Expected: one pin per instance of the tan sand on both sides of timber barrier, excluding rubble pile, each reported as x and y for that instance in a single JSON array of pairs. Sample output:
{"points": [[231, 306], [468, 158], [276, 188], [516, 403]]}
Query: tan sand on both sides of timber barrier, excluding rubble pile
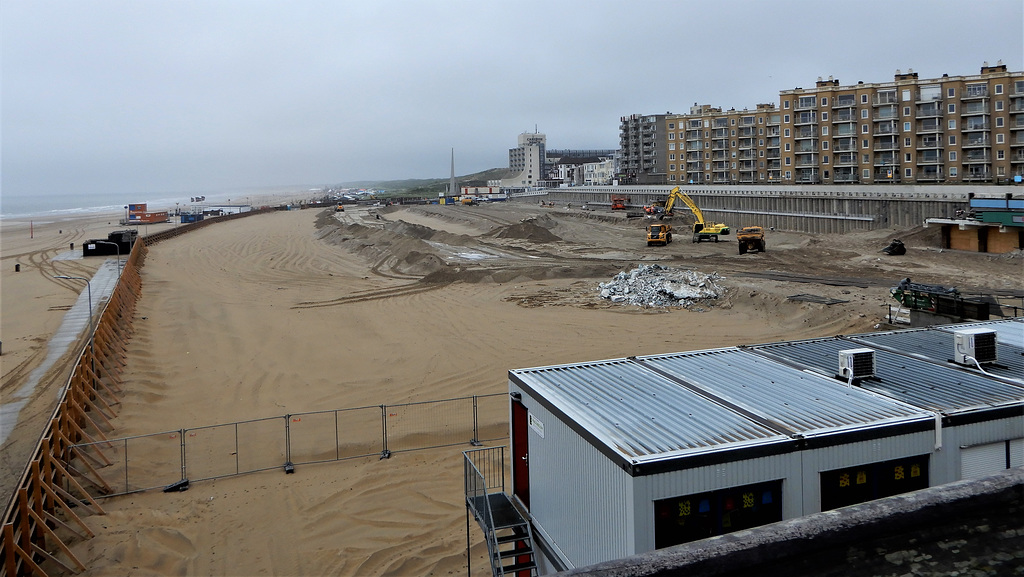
{"points": [[310, 311]]}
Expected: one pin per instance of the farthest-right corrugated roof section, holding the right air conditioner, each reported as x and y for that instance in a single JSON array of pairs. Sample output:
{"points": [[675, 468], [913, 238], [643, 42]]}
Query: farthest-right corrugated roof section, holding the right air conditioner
{"points": [[938, 346]]}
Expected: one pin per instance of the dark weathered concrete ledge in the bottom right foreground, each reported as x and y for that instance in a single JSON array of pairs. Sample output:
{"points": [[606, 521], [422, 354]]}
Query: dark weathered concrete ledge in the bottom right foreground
{"points": [[968, 524]]}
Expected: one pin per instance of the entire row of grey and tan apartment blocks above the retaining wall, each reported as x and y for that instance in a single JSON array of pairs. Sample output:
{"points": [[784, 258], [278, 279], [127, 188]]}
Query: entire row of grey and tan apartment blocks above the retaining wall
{"points": [[954, 130]]}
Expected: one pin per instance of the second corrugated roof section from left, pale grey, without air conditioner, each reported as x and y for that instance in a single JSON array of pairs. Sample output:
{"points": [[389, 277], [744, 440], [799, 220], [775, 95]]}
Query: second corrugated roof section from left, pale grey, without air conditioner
{"points": [[803, 402]]}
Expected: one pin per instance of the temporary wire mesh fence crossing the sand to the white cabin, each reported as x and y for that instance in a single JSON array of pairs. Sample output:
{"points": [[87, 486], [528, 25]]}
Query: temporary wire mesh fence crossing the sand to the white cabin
{"points": [[175, 459]]}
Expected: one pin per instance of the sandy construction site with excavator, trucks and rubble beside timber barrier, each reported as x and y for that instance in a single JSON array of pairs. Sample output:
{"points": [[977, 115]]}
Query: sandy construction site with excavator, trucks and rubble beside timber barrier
{"points": [[303, 312]]}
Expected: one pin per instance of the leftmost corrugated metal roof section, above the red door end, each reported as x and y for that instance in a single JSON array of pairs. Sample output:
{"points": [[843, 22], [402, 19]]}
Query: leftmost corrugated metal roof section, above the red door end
{"points": [[641, 415]]}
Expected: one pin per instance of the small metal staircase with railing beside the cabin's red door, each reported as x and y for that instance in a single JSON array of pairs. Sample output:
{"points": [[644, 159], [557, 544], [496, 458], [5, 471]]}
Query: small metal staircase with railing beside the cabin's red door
{"points": [[507, 532]]}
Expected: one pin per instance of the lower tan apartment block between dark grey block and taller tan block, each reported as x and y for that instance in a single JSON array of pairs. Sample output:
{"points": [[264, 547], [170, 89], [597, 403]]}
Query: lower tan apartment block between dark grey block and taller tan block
{"points": [[712, 147]]}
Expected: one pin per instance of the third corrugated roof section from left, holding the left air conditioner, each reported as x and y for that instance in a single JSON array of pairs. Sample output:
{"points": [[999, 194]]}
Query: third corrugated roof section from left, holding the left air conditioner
{"points": [[908, 380]]}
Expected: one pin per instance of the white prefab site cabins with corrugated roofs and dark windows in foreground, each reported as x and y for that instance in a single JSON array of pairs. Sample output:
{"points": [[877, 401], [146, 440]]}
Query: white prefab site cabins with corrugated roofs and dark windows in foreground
{"points": [[624, 457]]}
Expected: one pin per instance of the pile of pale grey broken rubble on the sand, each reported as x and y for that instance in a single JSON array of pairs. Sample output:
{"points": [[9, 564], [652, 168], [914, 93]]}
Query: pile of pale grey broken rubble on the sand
{"points": [[655, 285]]}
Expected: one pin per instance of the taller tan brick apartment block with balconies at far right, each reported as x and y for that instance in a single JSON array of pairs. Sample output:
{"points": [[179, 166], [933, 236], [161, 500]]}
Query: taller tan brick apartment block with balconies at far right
{"points": [[966, 130]]}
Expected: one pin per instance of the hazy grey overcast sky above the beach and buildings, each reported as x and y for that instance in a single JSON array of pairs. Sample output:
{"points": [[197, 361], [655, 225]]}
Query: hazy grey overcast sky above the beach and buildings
{"points": [[162, 96]]}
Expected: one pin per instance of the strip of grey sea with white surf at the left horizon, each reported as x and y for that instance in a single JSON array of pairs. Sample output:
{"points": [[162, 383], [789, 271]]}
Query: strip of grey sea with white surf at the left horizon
{"points": [[65, 205]]}
